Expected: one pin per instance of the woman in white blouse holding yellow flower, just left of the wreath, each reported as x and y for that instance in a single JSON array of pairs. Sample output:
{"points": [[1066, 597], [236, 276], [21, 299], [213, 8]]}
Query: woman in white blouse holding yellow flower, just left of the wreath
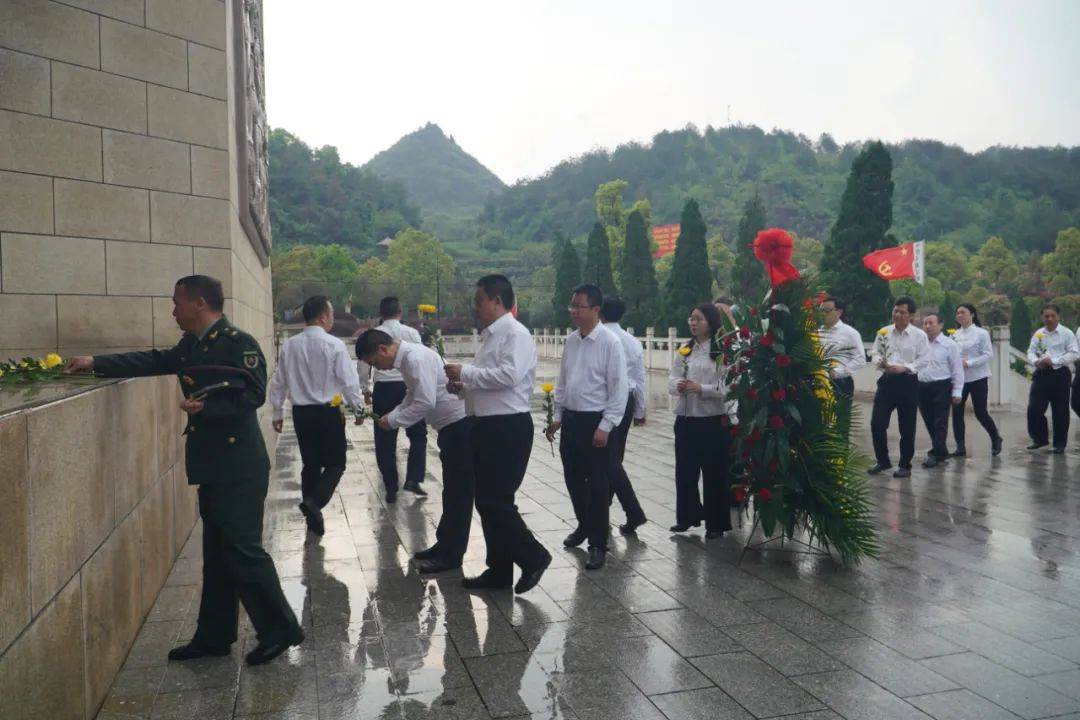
{"points": [[703, 437]]}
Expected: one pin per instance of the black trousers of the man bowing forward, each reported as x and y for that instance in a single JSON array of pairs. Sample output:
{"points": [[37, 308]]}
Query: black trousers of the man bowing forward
{"points": [[460, 486]]}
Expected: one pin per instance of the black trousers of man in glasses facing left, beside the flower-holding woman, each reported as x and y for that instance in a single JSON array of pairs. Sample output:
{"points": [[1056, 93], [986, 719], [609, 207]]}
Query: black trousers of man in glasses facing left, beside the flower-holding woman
{"points": [[586, 470]]}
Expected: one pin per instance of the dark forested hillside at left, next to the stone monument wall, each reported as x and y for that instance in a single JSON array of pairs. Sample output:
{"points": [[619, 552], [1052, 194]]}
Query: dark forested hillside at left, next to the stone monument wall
{"points": [[318, 200]]}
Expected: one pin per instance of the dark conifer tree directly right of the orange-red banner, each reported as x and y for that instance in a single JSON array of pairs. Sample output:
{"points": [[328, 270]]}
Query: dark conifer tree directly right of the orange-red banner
{"points": [[692, 281]]}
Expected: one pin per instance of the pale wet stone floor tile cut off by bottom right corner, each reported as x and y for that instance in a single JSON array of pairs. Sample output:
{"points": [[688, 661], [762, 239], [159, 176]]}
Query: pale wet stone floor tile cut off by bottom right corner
{"points": [[1027, 698]]}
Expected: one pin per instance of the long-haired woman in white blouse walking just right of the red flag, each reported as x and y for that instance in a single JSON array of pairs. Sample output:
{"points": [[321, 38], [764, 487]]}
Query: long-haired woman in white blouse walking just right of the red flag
{"points": [[977, 352]]}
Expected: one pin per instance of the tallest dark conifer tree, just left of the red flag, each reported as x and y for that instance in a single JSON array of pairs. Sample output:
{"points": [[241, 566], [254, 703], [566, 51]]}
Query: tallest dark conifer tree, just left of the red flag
{"points": [[861, 226]]}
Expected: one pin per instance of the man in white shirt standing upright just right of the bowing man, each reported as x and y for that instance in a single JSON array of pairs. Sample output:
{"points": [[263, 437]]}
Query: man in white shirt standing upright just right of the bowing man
{"points": [[497, 389]]}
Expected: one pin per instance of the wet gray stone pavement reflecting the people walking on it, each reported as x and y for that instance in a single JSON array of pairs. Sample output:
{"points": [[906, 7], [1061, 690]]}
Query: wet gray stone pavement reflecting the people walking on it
{"points": [[971, 613]]}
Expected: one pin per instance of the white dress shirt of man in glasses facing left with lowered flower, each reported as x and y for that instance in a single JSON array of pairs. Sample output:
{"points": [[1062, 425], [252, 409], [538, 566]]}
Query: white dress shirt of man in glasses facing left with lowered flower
{"points": [[592, 377]]}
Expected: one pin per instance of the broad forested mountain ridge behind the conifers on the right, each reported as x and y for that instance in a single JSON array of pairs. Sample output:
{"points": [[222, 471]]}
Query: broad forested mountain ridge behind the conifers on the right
{"points": [[1024, 196]]}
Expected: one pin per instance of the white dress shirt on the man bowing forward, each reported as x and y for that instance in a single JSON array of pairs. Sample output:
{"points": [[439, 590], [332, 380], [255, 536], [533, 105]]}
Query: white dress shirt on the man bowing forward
{"points": [[426, 395]]}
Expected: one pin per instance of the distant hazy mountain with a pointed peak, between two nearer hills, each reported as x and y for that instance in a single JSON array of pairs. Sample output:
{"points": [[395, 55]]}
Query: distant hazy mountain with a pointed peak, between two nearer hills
{"points": [[437, 173]]}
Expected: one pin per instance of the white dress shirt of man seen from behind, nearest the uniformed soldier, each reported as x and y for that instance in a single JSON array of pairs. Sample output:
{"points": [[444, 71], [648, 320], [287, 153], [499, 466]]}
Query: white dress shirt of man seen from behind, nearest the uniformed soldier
{"points": [[314, 366]]}
